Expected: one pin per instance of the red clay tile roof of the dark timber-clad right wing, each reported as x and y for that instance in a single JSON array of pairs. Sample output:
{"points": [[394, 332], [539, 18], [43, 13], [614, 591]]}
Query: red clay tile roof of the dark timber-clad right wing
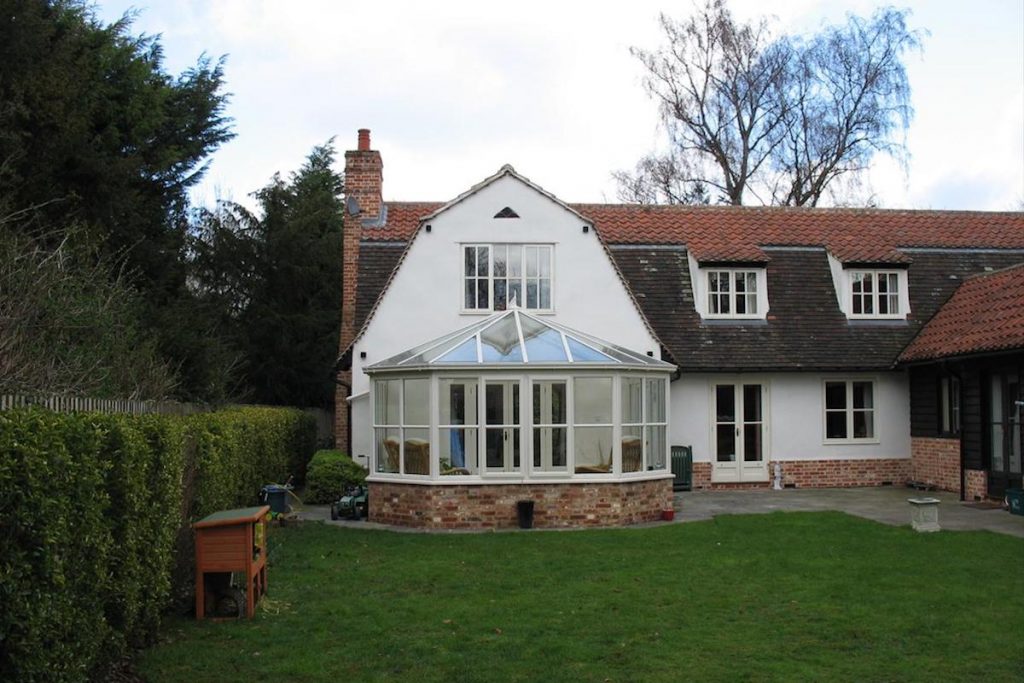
{"points": [[986, 314]]}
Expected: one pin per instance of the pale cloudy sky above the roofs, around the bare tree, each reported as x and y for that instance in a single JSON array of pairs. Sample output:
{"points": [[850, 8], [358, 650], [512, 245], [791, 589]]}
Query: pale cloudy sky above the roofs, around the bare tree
{"points": [[454, 91]]}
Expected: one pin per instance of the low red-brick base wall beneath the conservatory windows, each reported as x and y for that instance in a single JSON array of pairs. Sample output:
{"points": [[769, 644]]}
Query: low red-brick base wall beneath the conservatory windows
{"points": [[494, 506]]}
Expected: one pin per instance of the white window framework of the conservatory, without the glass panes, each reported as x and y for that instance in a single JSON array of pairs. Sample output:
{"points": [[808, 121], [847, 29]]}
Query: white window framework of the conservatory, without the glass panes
{"points": [[526, 473]]}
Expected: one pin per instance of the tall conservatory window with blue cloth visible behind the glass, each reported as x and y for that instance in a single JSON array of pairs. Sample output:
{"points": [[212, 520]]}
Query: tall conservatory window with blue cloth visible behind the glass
{"points": [[458, 442]]}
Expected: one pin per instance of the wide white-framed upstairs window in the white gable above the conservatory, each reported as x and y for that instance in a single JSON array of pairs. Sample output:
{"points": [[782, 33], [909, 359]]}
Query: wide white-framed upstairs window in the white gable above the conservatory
{"points": [[497, 276]]}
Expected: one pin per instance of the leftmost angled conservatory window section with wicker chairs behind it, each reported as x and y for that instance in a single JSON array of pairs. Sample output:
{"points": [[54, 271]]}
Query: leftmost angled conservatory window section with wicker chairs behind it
{"points": [[402, 426]]}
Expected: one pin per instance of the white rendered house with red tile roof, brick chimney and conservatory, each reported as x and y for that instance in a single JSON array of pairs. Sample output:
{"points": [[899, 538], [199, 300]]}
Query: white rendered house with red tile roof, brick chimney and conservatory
{"points": [[507, 346]]}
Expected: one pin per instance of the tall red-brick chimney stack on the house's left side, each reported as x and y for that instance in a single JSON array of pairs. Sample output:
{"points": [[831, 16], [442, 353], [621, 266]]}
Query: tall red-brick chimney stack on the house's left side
{"points": [[364, 208]]}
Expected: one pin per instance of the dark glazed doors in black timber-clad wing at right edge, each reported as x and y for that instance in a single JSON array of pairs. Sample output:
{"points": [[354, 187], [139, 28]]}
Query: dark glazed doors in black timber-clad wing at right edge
{"points": [[1006, 432]]}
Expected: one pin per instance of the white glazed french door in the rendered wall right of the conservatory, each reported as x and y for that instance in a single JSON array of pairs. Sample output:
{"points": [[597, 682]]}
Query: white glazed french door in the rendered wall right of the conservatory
{"points": [[740, 433]]}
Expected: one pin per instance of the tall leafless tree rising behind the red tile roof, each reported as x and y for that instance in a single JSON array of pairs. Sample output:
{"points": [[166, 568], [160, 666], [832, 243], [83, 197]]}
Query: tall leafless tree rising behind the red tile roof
{"points": [[775, 119]]}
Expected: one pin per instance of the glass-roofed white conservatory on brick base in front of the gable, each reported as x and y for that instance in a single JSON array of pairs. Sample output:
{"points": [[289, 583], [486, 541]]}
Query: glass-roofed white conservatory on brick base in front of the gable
{"points": [[517, 407]]}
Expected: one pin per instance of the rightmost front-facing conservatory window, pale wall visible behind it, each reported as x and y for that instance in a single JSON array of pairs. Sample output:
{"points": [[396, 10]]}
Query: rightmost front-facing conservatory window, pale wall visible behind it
{"points": [[592, 424]]}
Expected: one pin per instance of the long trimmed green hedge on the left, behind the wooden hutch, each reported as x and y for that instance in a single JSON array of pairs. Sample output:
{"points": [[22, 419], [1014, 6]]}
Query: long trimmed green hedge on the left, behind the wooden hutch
{"points": [[96, 510]]}
